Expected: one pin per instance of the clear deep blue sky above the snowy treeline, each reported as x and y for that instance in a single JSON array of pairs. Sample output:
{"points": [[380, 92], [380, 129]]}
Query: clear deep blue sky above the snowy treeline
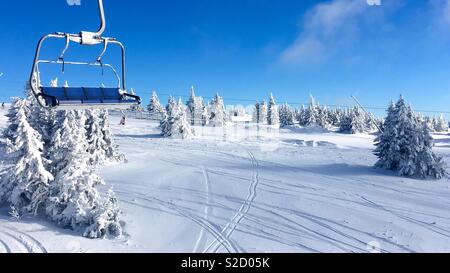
{"points": [[246, 48]]}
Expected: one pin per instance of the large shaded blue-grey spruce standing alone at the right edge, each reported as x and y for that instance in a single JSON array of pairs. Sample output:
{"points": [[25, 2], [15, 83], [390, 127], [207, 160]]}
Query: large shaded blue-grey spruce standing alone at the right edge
{"points": [[406, 145]]}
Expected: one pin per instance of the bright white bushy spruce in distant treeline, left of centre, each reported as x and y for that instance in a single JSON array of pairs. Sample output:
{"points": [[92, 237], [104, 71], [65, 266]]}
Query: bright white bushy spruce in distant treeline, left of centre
{"points": [[176, 124]]}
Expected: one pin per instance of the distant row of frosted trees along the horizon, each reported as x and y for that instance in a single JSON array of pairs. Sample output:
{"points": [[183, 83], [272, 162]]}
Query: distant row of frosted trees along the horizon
{"points": [[348, 120]]}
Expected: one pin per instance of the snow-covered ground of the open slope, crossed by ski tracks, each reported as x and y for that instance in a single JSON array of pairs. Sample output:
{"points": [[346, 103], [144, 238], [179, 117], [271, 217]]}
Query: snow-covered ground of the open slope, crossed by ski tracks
{"points": [[242, 189]]}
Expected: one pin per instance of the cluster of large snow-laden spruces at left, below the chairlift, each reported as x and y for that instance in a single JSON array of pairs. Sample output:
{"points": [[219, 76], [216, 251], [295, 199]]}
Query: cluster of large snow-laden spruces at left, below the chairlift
{"points": [[53, 157]]}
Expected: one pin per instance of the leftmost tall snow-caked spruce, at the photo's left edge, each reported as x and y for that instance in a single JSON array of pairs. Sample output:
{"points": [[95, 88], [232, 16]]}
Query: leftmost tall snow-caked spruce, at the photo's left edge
{"points": [[25, 184]]}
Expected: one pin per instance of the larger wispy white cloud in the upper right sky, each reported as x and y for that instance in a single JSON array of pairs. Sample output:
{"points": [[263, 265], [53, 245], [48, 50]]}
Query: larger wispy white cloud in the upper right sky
{"points": [[325, 28]]}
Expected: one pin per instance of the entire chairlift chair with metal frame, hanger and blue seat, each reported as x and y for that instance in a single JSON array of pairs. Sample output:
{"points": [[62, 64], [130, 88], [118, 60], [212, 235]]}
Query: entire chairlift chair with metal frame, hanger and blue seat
{"points": [[70, 98]]}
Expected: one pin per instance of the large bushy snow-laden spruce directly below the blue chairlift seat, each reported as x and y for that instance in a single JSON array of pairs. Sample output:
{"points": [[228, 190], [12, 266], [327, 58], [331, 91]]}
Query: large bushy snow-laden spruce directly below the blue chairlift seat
{"points": [[74, 201]]}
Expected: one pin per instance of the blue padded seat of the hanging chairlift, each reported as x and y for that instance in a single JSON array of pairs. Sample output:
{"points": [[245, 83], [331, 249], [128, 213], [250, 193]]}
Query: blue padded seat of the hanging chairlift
{"points": [[87, 97]]}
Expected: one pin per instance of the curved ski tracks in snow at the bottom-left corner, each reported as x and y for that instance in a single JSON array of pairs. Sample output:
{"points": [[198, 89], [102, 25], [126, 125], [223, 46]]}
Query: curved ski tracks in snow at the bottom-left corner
{"points": [[15, 241]]}
